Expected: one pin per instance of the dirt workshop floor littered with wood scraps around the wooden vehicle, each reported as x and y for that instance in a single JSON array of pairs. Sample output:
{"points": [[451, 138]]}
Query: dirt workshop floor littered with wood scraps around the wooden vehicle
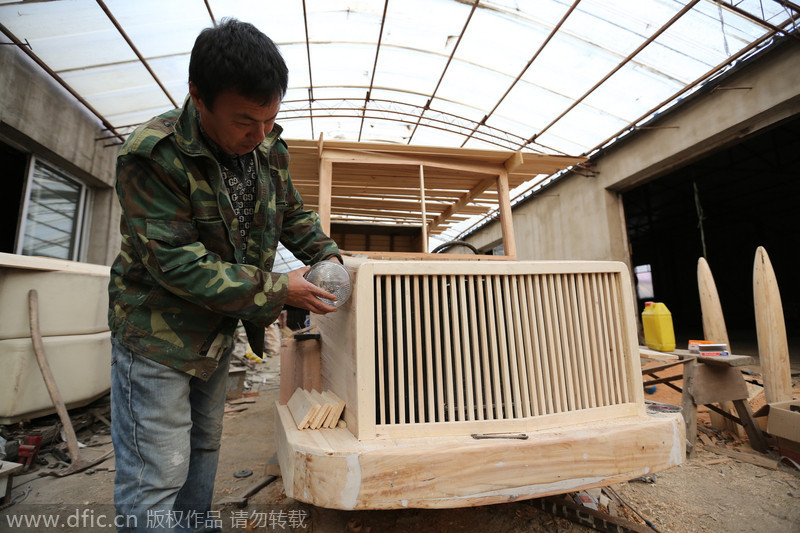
{"points": [[711, 492]]}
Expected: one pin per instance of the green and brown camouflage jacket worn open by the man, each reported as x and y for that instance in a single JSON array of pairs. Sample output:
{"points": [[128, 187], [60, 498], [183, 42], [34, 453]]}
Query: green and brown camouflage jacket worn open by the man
{"points": [[182, 281]]}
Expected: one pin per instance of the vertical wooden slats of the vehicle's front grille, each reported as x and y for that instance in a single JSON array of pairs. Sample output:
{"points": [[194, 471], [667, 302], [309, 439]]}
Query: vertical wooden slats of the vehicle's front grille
{"points": [[452, 348]]}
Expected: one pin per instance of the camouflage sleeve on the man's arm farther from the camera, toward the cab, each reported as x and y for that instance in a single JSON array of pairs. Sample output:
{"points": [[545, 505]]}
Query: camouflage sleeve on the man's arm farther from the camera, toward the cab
{"points": [[302, 233]]}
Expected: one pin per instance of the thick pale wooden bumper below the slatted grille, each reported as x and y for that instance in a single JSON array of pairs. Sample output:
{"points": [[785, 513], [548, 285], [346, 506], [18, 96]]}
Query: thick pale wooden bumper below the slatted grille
{"points": [[330, 468]]}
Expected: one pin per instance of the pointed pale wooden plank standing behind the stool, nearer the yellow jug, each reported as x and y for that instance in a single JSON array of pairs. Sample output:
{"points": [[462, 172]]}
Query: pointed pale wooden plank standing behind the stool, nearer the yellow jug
{"points": [[714, 330]]}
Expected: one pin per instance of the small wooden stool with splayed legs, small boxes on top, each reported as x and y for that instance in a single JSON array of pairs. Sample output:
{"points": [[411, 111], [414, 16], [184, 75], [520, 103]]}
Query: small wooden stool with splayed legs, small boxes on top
{"points": [[714, 379]]}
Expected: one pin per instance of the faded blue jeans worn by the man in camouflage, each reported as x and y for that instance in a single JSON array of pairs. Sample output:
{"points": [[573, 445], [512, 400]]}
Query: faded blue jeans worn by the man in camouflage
{"points": [[166, 427]]}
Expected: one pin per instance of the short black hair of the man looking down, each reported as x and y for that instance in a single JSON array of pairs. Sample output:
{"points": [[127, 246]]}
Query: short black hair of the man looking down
{"points": [[237, 56]]}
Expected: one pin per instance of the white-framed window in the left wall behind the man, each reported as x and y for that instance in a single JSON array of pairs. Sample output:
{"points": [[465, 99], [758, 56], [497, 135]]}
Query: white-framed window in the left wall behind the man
{"points": [[52, 213]]}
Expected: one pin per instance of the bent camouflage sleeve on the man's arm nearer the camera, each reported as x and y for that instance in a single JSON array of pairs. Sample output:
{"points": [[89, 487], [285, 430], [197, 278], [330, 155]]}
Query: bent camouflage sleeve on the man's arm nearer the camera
{"points": [[157, 212]]}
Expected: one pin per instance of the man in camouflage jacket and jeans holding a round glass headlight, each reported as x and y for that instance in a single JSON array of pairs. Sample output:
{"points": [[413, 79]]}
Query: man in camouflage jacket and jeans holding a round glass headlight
{"points": [[206, 196]]}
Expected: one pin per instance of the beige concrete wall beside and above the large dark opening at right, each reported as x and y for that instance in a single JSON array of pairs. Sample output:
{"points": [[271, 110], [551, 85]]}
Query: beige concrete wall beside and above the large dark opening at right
{"points": [[582, 217]]}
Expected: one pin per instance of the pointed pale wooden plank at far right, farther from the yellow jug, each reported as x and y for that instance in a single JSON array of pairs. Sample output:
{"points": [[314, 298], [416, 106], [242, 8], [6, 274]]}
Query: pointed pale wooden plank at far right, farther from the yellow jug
{"points": [[773, 347]]}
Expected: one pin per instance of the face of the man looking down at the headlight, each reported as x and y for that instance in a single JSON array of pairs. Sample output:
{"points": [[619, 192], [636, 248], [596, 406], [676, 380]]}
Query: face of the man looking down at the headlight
{"points": [[237, 124]]}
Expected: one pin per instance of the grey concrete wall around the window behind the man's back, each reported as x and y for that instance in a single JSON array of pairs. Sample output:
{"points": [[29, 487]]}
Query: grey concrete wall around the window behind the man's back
{"points": [[42, 118]]}
